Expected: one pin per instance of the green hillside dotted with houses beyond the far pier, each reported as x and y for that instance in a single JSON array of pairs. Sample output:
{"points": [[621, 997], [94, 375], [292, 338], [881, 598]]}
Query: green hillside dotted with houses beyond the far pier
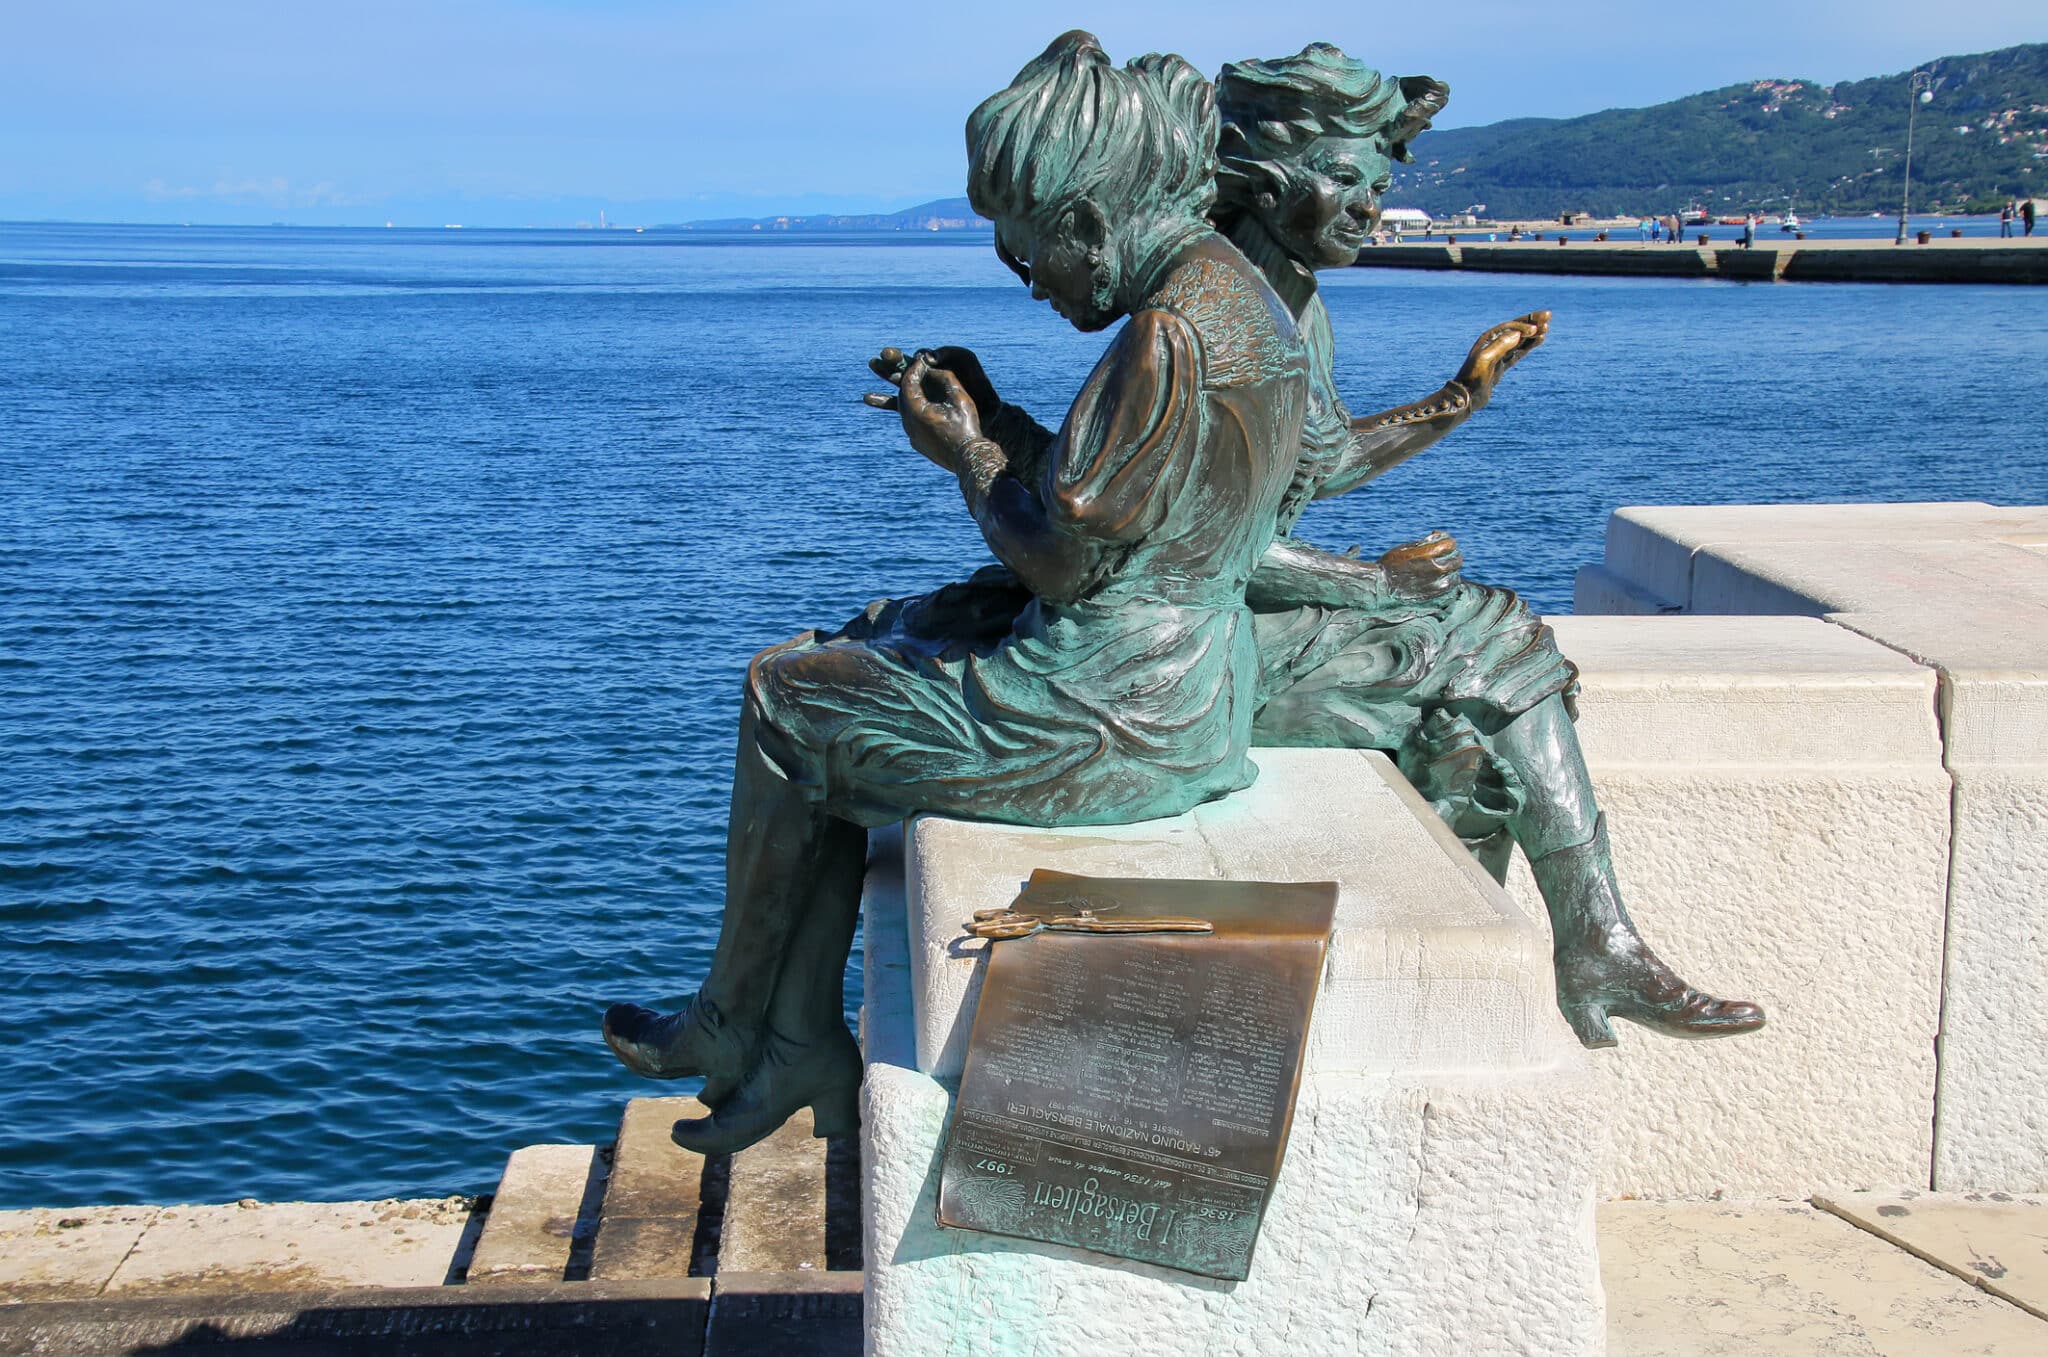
{"points": [[1766, 144]]}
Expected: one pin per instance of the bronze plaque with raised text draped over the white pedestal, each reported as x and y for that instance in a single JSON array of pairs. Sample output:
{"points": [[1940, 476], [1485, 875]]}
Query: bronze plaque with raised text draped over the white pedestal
{"points": [[1132, 1094]]}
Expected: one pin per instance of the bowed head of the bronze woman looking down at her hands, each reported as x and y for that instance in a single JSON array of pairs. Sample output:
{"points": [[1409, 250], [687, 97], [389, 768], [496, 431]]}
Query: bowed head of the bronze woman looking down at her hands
{"points": [[1076, 161]]}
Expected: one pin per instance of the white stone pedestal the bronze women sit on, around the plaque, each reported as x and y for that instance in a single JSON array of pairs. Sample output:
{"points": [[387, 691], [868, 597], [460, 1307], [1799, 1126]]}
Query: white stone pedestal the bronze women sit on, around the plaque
{"points": [[1439, 1186]]}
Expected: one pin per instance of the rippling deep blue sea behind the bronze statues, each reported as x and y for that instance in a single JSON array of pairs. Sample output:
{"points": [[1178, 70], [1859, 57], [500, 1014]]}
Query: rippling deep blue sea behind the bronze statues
{"points": [[374, 609]]}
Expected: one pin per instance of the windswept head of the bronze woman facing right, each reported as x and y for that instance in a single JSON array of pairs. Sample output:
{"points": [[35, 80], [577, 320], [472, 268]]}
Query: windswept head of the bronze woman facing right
{"points": [[1310, 142]]}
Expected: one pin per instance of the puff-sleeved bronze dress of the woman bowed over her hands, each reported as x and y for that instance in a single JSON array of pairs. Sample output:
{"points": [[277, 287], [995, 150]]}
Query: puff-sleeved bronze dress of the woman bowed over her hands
{"points": [[1132, 695]]}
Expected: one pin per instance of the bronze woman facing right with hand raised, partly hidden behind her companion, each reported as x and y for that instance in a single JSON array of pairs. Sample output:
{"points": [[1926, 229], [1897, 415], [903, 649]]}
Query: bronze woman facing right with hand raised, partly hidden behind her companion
{"points": [[1457, 681]]}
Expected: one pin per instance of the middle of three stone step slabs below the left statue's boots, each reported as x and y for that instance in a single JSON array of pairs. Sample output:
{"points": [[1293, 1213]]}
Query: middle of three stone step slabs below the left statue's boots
{"points": [[652, 1223]]}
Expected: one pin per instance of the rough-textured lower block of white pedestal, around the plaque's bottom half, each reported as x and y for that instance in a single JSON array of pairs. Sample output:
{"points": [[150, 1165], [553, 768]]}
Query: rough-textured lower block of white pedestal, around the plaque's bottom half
{"points": [[1445, 1215]]}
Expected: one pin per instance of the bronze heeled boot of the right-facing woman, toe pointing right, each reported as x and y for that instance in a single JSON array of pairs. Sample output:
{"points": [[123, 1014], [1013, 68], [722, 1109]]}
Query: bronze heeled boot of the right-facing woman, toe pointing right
{"points": [[1605, 969]]}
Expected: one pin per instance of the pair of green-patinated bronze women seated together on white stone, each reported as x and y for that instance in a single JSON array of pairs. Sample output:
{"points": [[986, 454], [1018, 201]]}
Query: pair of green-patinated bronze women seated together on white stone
{"points": [[1152, 615]]}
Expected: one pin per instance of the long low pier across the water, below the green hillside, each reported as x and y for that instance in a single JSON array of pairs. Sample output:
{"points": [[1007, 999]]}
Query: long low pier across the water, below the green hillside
{"points": [[1770, 261]]}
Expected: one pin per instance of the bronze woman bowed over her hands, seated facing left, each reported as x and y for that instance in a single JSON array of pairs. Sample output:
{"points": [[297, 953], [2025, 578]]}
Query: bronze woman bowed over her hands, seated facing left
{"points": [[1123, 687]]}
